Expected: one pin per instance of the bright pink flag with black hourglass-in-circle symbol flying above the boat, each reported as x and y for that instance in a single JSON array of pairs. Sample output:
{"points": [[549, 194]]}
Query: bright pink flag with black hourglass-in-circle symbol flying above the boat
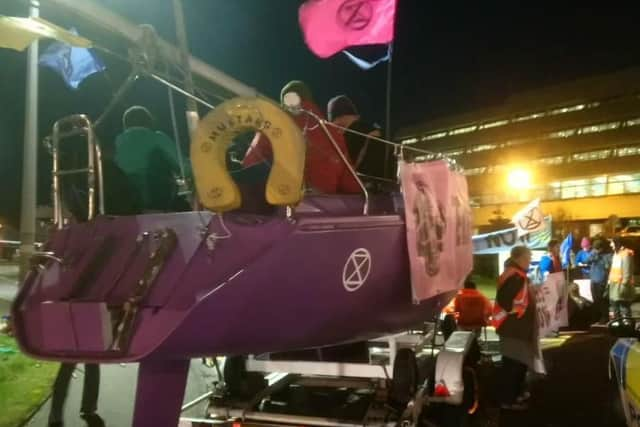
{"points": [[329, 26]]}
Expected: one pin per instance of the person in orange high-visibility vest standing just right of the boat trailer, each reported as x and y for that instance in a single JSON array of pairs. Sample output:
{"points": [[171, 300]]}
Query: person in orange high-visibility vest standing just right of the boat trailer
{"points": [[514, 317]]}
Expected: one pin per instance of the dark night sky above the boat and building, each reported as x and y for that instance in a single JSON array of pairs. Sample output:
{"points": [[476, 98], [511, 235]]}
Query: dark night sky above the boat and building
{"points": [[449, 58]]}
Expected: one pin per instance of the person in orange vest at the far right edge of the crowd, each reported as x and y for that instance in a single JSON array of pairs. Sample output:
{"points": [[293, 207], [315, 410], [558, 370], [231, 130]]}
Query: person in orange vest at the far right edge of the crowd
{"points": [[621, 286]]}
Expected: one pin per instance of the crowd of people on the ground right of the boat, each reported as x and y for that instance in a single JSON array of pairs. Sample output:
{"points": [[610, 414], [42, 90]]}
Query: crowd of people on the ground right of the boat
{"points": [[608, 264]]}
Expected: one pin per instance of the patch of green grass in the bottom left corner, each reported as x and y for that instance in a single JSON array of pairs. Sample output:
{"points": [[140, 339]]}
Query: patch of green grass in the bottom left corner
{"points": [[24, 383]]}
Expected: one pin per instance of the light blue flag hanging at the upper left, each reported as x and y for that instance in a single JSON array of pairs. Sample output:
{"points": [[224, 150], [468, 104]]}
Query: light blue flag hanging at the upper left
{"points": [[74, 64]]}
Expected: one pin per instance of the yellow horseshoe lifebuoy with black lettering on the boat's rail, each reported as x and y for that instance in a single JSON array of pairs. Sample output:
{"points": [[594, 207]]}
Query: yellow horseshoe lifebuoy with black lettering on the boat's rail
{"points": [[216, 189]]}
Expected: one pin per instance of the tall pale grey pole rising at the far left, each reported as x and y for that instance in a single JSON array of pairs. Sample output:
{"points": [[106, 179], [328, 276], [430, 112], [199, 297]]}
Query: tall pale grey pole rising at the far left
{"points": [[30, 154]]}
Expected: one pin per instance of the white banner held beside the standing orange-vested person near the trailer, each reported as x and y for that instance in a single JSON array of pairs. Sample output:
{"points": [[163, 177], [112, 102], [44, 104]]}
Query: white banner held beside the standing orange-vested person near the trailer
{"points": [[551, 304]]}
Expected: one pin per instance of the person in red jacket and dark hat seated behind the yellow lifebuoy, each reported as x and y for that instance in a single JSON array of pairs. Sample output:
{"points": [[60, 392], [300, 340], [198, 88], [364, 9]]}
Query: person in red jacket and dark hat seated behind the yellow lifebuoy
{"points": [[325, 171]]}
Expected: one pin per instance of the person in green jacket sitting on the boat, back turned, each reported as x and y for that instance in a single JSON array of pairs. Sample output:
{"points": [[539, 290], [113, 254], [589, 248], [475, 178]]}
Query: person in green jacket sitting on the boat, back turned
{"points": [[150, 161]]}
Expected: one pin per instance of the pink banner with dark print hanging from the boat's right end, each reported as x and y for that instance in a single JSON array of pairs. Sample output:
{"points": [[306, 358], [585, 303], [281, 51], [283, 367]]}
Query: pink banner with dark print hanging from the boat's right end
{"points": [[438, 218]]}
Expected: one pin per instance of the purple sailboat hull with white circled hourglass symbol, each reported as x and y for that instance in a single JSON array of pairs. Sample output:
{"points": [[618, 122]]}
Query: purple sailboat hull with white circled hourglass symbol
{"points": [[164, 288]]}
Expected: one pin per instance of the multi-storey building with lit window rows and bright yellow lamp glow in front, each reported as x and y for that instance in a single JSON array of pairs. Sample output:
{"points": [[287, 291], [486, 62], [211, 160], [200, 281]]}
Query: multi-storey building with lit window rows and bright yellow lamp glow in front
{"points": [[577, 146]]}
